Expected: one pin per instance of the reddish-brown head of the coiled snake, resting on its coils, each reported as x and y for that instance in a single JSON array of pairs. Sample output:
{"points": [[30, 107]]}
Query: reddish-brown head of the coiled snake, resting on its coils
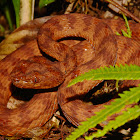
{"points": [[36, 73]]}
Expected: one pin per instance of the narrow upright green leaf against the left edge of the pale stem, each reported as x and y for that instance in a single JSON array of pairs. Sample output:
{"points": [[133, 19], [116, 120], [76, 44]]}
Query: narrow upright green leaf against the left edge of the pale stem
{"points": [[16, 4]]}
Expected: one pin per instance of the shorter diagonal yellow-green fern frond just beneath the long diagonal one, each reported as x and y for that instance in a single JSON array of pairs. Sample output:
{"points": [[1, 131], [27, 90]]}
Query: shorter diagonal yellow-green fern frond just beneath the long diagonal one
{"points": [[131, 114]]}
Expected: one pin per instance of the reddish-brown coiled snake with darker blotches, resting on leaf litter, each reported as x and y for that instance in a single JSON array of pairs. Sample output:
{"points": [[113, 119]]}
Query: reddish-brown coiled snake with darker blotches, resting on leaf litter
{"points": [[101, 47]]}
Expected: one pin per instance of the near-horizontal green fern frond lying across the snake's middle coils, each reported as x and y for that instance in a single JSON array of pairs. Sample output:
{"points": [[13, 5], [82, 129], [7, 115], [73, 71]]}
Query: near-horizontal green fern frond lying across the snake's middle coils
{"points": [[126, 72]]}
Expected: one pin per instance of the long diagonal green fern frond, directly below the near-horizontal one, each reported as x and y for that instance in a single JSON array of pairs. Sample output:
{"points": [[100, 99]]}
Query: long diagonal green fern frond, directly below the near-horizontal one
{"points": [[127, 97]]}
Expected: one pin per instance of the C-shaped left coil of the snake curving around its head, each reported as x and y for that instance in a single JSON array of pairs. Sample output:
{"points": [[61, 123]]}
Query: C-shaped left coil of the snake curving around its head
{"points": [[30, 115]]}
